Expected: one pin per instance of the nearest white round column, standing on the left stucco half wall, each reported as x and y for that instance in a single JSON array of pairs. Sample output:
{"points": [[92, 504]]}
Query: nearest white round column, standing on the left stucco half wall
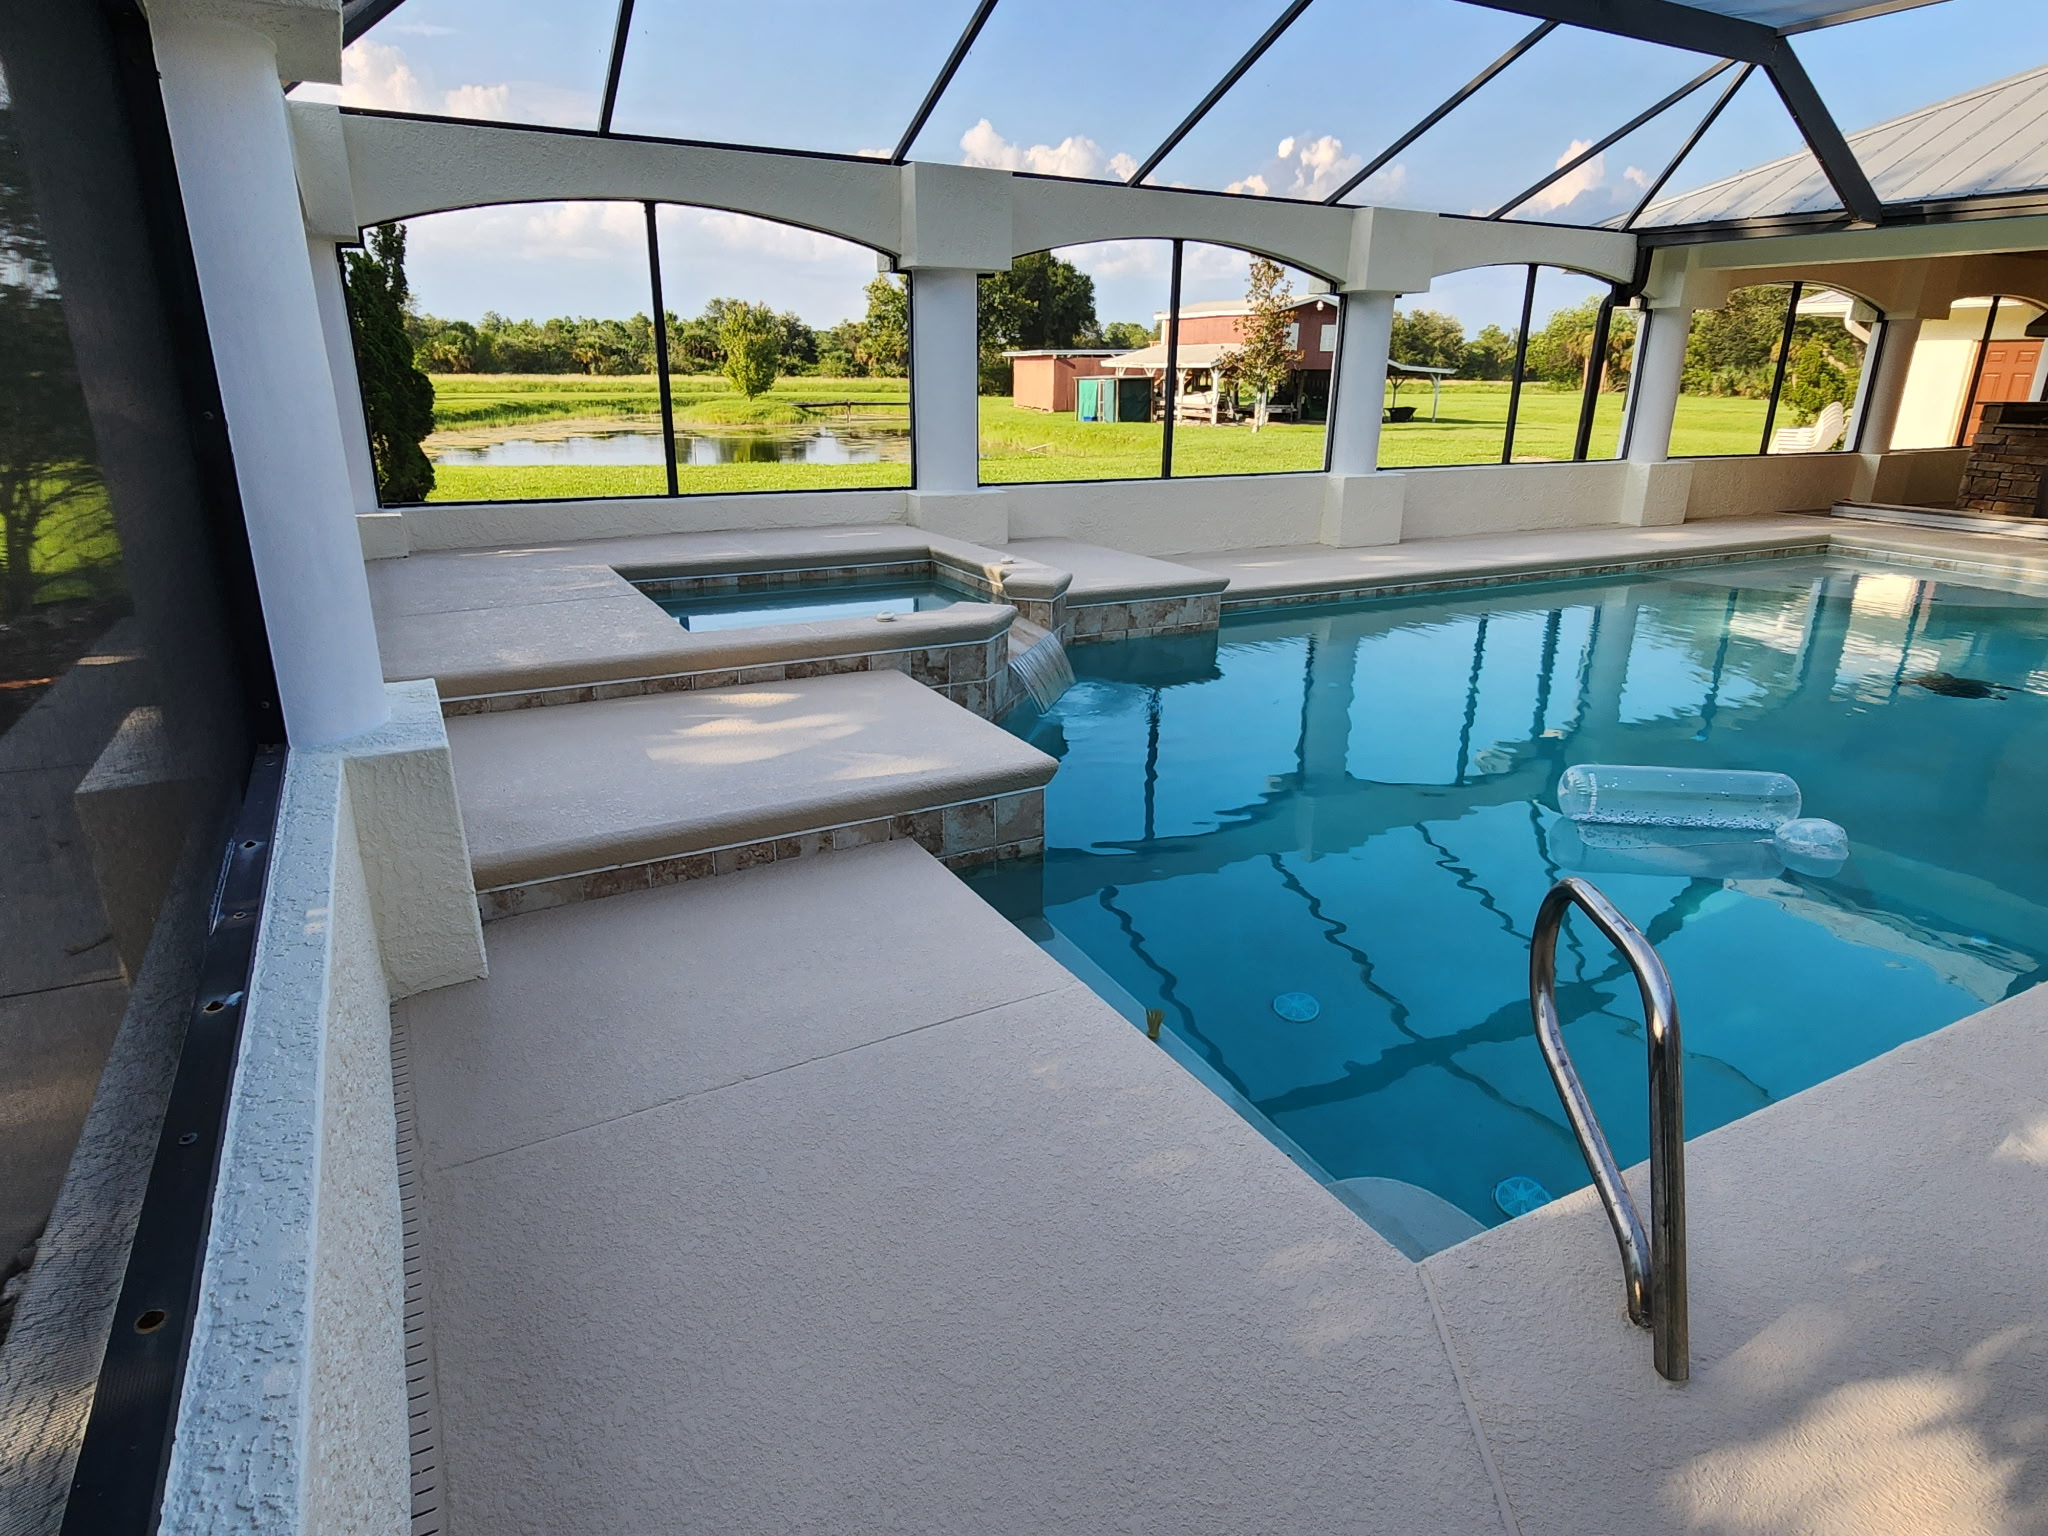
{"points": [[226, 114]]}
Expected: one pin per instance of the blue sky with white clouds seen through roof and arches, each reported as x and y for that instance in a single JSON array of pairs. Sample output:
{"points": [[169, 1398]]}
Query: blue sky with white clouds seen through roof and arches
{"points": [[1072, 87]]}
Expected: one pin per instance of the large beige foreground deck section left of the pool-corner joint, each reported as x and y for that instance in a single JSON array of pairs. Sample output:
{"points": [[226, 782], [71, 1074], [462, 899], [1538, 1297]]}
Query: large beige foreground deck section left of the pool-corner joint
{"points": [[820, 1201]]}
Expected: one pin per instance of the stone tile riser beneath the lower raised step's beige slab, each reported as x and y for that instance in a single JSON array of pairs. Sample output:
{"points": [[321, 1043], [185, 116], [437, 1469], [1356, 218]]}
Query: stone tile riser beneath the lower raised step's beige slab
{"points": [[962, 837]]}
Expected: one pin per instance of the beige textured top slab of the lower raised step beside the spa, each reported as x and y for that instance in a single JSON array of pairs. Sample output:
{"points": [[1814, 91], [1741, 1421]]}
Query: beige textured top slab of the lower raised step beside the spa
{"points": [[587, 787]]}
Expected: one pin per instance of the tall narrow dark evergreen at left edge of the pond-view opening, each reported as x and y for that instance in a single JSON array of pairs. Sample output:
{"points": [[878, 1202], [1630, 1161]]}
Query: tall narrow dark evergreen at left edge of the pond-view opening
{"points": [[398, 400]]}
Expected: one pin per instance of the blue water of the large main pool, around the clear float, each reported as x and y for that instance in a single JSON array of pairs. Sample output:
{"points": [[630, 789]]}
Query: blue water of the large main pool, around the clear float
{"points": [[1357, 806]]}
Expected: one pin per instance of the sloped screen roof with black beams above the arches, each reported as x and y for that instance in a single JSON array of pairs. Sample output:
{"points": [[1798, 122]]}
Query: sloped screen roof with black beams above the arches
{"points": [[1564, 112]]}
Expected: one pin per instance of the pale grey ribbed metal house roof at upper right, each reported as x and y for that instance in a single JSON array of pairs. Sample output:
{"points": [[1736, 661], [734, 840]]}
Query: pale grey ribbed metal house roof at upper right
{"points": [[1992, 140]]}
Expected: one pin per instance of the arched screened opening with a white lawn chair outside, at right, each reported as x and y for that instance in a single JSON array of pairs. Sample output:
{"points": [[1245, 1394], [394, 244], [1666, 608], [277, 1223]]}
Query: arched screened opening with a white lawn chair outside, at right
{"points": [[1777, 368]]}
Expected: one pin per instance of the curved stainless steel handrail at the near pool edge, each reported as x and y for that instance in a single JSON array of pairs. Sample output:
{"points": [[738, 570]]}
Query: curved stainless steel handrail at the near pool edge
{"points": [[1654, 1271]]}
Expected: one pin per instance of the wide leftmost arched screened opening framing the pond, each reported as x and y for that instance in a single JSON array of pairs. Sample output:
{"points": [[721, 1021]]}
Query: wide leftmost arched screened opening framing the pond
{"points": [[634, 349]]}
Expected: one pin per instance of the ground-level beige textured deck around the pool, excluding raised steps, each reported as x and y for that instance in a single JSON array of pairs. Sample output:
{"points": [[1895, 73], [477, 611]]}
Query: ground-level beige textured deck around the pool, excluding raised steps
{"points": [[818, 1199]]}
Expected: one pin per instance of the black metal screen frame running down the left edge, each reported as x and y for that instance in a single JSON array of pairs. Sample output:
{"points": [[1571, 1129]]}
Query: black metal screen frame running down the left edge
{"points": [[95, 89]]}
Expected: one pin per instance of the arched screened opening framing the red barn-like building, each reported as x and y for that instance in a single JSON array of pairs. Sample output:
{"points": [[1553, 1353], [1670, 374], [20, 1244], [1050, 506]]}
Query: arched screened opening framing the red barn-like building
{"points": [[1140, 359]]}
